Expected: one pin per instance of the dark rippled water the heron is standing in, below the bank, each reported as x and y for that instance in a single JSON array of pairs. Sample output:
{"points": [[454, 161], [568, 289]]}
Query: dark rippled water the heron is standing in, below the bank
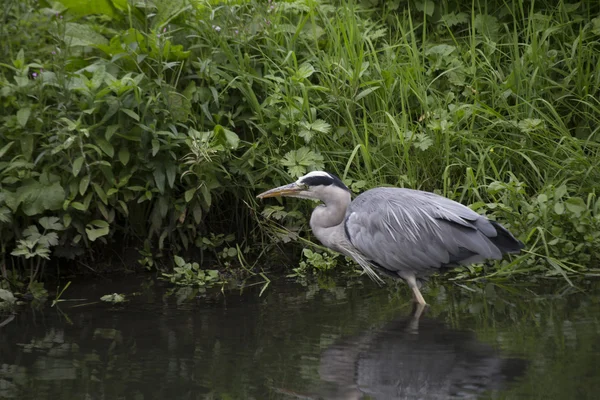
{"points": [[339, 340]]}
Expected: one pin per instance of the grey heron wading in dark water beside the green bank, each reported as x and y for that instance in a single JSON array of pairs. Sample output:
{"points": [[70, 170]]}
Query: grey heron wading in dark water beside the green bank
{"points": [[404, 233]]}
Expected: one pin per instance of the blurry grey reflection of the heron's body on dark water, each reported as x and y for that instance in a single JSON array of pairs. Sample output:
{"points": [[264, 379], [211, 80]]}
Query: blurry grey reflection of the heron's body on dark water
{"points": [[406, 361]]}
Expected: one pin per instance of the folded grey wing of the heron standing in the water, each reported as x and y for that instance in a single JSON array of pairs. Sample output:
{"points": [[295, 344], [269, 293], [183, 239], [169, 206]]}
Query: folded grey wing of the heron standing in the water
{"points": [[419, 232]]}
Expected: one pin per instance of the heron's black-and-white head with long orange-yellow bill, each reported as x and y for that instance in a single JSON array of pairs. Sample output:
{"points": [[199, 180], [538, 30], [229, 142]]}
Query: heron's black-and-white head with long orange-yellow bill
{"points": [[316, 185]]}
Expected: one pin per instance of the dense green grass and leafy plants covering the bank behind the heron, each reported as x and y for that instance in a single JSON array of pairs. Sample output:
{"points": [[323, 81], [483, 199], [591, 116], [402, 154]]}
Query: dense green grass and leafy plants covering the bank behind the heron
{"points": [[152, 125]]}
